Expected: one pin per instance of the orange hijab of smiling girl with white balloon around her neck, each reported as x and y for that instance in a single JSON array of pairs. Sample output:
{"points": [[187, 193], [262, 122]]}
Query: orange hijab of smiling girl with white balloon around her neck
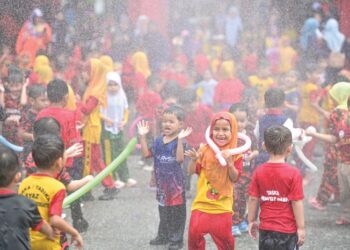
{"points": [[216, 174]]}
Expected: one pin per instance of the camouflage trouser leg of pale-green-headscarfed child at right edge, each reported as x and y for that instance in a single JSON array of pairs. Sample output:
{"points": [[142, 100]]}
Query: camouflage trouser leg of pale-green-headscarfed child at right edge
{"points": [[344, 186]]}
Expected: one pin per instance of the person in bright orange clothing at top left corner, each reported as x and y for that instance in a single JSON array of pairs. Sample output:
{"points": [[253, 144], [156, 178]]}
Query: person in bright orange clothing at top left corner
{"points": [[34, 35]]}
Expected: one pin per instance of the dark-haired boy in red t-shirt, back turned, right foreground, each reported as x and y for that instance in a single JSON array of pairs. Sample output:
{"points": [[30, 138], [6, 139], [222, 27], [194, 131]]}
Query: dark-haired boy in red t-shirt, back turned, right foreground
{"points": [[278, 188]]}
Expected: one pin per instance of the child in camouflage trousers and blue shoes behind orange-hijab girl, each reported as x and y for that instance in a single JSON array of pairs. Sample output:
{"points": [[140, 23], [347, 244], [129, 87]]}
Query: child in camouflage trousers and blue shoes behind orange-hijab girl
{"points": [[240, 225]]}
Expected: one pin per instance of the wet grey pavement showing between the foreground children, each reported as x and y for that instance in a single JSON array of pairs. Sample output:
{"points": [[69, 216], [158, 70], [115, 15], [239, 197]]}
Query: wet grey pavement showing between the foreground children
{"points": [[130, 221]]}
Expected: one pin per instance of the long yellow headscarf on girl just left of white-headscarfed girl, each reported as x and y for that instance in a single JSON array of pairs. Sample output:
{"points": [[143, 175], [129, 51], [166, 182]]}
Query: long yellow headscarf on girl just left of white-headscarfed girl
{"points": [[97, 86]]}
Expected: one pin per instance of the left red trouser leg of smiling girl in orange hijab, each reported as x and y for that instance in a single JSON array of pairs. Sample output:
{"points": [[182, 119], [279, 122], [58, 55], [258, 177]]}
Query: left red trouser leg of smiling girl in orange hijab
{"points": [[197, 229]]}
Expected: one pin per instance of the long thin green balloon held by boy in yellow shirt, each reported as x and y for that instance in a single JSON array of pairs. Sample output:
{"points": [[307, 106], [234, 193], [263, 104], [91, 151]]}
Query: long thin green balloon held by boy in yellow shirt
{"points": [[98, 178]]}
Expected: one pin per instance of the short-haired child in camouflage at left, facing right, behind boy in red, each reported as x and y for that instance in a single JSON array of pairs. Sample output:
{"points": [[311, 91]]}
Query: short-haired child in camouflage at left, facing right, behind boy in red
{"points": [[37, 100]]}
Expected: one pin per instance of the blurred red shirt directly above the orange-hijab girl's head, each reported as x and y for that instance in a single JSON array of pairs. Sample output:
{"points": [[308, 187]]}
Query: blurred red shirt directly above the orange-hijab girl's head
{"points": [[228, 91]]}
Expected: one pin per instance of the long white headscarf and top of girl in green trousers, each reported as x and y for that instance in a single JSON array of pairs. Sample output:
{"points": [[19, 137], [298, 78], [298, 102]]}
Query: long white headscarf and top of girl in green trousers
{"points": [[116, 104]]}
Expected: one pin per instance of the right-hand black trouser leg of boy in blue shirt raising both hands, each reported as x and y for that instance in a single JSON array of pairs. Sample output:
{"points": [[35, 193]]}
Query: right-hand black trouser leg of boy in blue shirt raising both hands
{"points": [[177, 220]]}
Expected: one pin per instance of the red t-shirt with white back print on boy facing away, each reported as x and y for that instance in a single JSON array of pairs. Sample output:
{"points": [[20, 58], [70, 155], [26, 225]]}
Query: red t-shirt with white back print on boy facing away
{"points": [[276, 185]]}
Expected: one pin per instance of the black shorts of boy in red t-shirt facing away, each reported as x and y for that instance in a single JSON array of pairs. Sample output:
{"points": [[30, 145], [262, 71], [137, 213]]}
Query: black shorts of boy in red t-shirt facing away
{"points": [[270, 240]]}
